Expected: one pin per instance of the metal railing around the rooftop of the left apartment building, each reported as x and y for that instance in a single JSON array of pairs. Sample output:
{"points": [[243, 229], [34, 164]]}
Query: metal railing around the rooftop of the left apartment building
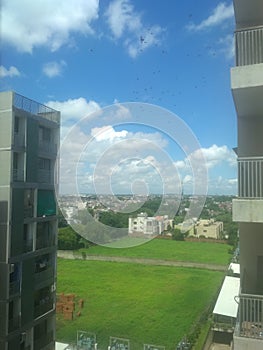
{"points": [[33, 107]]}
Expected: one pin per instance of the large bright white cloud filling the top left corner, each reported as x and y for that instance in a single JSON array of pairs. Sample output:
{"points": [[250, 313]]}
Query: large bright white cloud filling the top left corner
{"points": [[27, 24]]}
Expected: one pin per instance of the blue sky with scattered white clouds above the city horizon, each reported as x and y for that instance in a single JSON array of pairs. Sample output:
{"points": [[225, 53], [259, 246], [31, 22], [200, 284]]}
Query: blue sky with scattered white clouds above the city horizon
{"points": [[143, 88]]}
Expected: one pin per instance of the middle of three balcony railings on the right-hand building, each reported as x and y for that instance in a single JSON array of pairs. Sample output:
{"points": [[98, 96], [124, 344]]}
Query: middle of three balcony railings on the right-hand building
{"points": [[250, 177]]}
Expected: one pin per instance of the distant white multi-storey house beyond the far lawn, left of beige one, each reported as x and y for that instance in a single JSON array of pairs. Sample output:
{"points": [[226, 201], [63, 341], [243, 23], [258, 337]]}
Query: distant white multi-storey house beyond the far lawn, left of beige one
{"points": [[146, 225]]}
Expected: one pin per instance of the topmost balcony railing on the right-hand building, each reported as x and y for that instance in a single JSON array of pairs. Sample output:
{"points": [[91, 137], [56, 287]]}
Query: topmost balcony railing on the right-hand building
{"points": [[249, 46]]}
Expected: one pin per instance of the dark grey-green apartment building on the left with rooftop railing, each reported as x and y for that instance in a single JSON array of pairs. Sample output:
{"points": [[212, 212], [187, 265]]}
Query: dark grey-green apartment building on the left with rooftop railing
{"points": [[29, 139]]}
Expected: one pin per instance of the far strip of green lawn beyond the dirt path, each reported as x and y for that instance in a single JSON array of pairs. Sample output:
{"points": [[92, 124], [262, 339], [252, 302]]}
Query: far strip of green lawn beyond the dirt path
{"points": [[203, 252]]}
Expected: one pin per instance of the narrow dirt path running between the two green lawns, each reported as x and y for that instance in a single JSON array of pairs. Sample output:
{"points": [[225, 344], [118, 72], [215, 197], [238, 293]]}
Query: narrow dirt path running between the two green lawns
{"points": [[72, 256]]}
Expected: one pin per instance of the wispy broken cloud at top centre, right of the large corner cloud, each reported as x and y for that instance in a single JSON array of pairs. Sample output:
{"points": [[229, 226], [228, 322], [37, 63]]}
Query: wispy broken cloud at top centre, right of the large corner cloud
{"points": [[126, 24]]}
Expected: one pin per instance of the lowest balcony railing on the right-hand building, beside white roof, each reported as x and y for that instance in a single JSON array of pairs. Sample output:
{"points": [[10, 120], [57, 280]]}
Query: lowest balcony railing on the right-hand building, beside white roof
{"points": [[250, 316]]}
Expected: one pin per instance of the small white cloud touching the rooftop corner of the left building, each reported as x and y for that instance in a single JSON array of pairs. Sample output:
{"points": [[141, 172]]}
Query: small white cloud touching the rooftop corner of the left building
{"points": [[74, 109]]}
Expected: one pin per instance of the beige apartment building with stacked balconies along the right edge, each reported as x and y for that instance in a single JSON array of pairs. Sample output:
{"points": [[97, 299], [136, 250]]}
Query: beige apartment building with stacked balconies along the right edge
{"points": [[247, 88]]}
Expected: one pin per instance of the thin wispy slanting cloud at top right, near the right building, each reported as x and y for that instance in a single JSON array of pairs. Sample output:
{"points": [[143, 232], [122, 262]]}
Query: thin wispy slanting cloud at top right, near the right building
{"points": [[220, 14]]}
